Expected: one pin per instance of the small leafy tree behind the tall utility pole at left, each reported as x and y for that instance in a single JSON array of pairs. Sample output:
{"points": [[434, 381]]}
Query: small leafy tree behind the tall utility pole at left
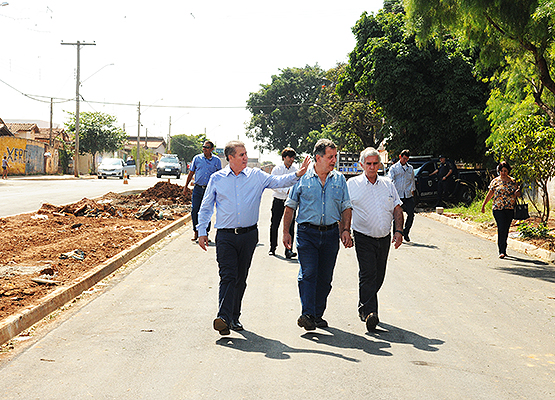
{"points": [[97, 133]]}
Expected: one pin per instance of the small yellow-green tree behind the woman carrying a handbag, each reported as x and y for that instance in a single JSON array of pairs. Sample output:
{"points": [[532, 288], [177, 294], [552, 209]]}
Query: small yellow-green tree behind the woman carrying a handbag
{"points": [[528, 144]]}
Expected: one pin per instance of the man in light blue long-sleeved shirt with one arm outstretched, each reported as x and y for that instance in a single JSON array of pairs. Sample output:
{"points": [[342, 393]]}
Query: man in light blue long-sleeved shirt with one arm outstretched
{"points": [[236, 191]]}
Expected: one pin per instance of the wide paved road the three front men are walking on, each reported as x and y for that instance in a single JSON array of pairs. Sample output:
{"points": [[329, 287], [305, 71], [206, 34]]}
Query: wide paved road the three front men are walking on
{"points": [[456, 323]]}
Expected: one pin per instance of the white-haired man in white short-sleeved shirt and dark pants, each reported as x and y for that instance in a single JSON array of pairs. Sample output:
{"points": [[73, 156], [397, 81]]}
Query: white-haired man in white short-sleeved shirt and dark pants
{"points": [[375, 205]]}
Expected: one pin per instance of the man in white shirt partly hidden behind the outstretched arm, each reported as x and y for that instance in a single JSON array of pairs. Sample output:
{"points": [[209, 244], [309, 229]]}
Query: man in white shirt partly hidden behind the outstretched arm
{"points": [[278, 205]]}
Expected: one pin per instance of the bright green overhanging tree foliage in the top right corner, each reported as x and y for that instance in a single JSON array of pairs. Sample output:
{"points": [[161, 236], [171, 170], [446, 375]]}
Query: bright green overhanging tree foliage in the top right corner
{"points": [[506, 32]]}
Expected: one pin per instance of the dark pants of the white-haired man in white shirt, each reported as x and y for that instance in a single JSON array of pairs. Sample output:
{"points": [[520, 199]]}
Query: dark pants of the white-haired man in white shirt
{"points": [[372, 259]]}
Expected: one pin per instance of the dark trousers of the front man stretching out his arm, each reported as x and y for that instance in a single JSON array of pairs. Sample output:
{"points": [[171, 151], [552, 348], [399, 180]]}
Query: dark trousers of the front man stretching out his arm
{"points": [[234, 255]]}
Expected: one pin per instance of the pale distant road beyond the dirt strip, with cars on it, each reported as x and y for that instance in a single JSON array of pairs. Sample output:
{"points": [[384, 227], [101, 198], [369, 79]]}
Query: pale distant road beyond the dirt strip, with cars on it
{"points": [[27, 194]]}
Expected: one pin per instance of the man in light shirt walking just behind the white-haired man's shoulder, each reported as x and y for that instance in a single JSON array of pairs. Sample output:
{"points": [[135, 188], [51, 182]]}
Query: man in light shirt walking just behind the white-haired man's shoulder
{"points": [[402, 175]]}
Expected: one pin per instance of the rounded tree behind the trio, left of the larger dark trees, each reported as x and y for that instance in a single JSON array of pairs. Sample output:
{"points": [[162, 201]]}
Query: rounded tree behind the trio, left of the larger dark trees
{"points": [[283, 112]]}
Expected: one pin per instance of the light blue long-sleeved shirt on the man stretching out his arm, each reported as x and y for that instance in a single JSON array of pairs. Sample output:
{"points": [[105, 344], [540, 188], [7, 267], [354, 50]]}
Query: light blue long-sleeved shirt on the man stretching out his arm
{"points": [[237, 197]]}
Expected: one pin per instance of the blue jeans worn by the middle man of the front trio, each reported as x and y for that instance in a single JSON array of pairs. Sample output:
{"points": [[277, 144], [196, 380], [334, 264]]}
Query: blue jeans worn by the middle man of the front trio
{"points": [[317, 255]]}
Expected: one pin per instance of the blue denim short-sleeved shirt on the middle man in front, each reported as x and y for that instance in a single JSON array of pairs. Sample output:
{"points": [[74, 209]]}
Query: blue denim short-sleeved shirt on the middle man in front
{"points": [[319, 205]]}
